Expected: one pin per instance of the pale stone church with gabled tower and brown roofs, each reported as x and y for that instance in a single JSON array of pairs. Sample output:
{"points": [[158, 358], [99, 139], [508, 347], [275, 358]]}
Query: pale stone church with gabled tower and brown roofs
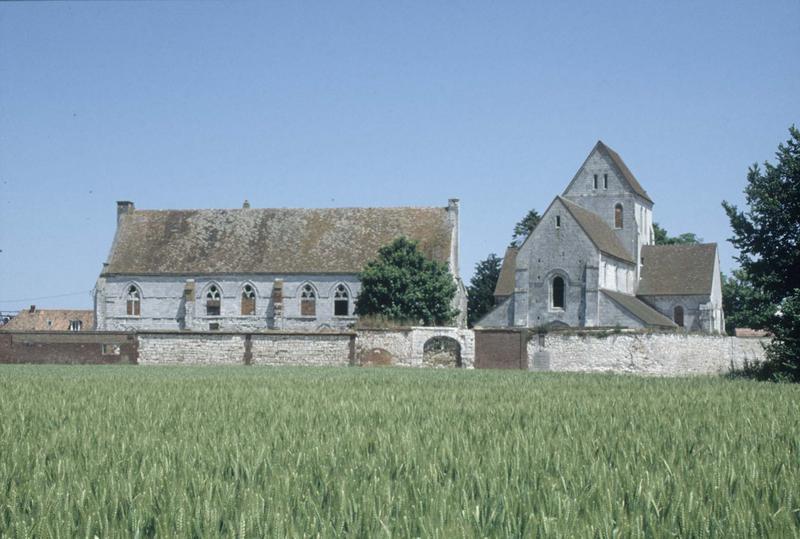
{"points": [[592, 262]]}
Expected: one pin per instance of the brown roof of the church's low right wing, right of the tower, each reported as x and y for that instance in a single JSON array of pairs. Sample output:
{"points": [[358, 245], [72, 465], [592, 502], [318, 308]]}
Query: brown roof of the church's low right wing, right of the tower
{"points": [[671, 270]]}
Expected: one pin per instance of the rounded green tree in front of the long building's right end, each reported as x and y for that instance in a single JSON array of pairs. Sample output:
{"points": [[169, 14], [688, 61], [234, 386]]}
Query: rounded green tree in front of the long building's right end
{"points": [[403, 285]]}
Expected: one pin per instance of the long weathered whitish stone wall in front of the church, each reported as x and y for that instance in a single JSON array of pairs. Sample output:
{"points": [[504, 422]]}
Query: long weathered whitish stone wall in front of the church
{"points": [[646, 353]]}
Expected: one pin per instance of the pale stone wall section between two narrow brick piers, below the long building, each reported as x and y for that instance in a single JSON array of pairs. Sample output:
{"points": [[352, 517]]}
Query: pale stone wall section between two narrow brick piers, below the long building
{"points": [[301, 349]]}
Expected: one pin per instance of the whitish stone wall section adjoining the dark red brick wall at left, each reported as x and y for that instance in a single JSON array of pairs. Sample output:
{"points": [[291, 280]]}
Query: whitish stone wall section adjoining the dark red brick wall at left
{"points": [[191, 348]]}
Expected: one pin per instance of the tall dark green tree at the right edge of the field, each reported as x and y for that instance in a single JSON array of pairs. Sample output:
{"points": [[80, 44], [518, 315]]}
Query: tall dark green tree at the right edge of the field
{"points": [[767, 236]]}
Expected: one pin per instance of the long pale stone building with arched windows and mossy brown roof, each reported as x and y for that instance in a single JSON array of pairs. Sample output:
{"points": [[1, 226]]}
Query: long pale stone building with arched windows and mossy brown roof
{"points": [[248, 269]]}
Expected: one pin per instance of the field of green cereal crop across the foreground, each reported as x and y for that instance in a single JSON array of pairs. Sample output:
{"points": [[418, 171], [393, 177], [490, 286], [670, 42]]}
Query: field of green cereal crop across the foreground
{"points": [[134, 451]]}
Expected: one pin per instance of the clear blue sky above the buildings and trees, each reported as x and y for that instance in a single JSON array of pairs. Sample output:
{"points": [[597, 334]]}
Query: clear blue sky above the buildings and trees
{"points": [[205, 104]]}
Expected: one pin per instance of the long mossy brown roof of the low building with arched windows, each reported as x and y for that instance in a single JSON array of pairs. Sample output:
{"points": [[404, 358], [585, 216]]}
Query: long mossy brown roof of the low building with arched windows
{"points": [[335, 240]]}
